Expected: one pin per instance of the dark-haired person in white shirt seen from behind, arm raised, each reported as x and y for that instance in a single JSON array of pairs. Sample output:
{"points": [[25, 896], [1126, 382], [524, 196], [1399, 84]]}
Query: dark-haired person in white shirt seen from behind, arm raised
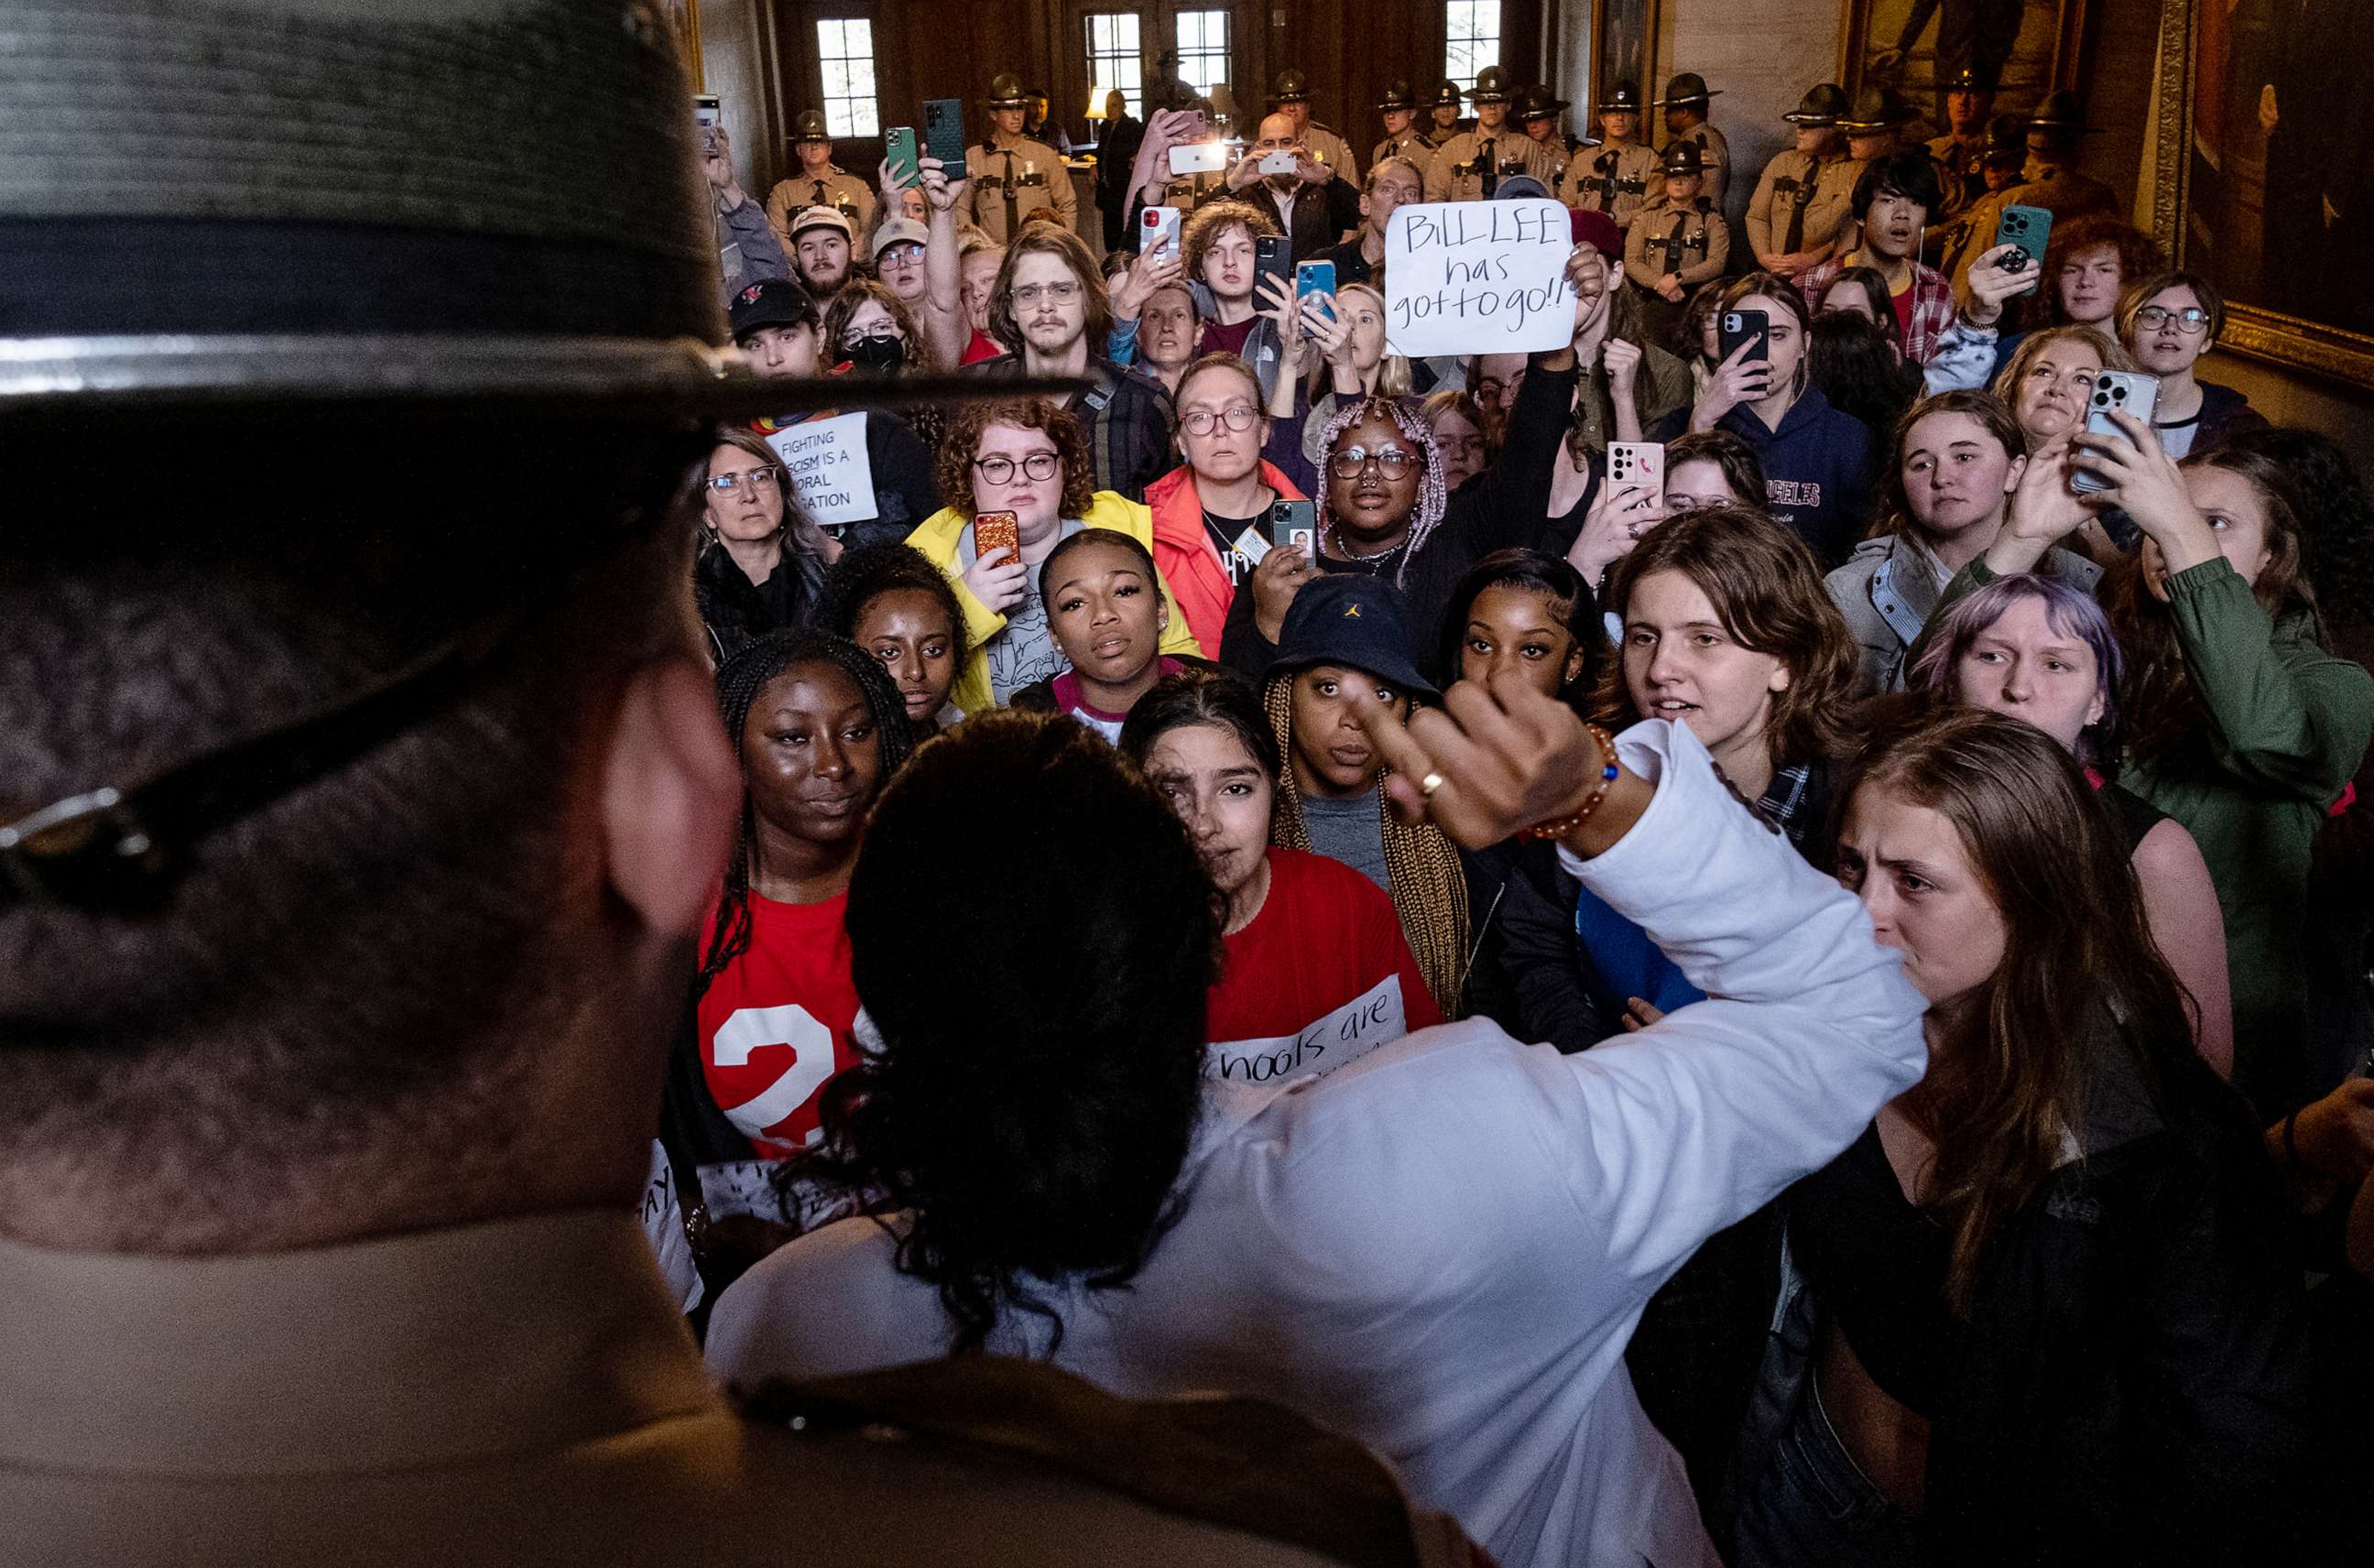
{"points": [[1440, 1248]]}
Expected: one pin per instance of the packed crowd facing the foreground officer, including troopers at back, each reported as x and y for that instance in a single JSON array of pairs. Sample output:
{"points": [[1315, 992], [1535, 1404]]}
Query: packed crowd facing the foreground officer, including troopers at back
{"points": [[2059, 707]]}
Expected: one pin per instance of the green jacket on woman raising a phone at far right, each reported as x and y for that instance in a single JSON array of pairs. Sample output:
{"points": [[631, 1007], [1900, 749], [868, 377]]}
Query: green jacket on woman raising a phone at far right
{"points": [[2287, 731]]}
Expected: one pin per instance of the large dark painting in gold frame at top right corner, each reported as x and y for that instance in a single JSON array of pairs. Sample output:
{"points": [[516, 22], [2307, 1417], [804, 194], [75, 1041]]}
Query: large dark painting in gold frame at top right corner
{"points": [[2264, 179]]}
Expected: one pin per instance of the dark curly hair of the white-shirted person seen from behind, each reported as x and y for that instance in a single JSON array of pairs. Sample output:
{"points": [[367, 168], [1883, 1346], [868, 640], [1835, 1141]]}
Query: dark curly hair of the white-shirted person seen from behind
{"points": [[1036, 1073]]}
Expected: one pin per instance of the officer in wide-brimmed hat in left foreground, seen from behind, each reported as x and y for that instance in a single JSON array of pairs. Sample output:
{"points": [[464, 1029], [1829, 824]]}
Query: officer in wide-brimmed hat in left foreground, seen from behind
{"points": [[360, 956]]}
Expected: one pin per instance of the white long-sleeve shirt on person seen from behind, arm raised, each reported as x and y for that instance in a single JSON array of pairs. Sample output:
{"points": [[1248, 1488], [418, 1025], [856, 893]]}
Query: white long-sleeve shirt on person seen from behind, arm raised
{"points": [[1445, 1246]]}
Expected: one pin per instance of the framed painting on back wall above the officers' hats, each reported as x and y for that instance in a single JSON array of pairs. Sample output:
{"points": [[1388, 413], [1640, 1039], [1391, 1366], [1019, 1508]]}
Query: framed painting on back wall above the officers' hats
{"points": [[1917, 46]]}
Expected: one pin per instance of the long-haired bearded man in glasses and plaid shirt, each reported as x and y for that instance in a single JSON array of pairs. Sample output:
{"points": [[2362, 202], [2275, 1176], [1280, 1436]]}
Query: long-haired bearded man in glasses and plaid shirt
{"points": [[1050, 315]]}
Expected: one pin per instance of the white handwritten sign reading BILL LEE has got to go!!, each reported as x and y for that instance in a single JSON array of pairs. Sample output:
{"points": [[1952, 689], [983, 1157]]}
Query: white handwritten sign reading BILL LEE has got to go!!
{"points": [[1478, 279]]}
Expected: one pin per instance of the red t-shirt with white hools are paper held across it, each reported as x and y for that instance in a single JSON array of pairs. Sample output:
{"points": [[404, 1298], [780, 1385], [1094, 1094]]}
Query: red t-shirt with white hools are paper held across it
{"points": [[1319, 980]]}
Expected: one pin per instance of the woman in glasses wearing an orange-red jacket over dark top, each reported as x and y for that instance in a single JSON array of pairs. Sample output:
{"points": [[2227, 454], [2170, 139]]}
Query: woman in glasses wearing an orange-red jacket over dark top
{"points": [[1212, 514]]}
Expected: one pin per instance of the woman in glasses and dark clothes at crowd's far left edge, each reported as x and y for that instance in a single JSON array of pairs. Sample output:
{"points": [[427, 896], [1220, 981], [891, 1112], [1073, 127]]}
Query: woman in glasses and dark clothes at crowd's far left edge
{"points": [[763, 559]]}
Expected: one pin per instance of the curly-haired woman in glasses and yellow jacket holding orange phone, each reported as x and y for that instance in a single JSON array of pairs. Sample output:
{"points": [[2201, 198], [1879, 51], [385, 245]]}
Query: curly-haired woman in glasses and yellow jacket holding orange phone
{"points": [[1022, 457]]}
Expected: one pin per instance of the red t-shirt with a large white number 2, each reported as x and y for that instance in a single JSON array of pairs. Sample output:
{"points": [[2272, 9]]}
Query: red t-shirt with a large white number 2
{"points": [[777, 1023]]}
